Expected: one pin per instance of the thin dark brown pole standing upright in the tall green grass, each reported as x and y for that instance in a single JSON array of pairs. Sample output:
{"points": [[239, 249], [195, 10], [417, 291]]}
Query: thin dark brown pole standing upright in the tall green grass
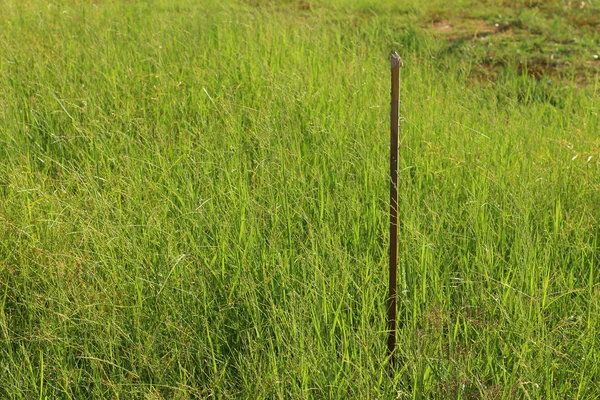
{"points": [[394, 117]]}
